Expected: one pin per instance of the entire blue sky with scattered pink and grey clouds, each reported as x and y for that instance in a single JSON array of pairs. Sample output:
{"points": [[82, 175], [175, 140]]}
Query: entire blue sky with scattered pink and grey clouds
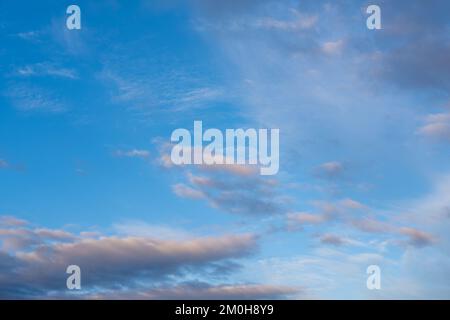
{"points": [[86, 179]]}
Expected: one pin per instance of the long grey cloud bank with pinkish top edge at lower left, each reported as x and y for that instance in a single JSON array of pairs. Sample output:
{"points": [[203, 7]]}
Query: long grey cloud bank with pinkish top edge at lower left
{"points": [[109, 257]]}
